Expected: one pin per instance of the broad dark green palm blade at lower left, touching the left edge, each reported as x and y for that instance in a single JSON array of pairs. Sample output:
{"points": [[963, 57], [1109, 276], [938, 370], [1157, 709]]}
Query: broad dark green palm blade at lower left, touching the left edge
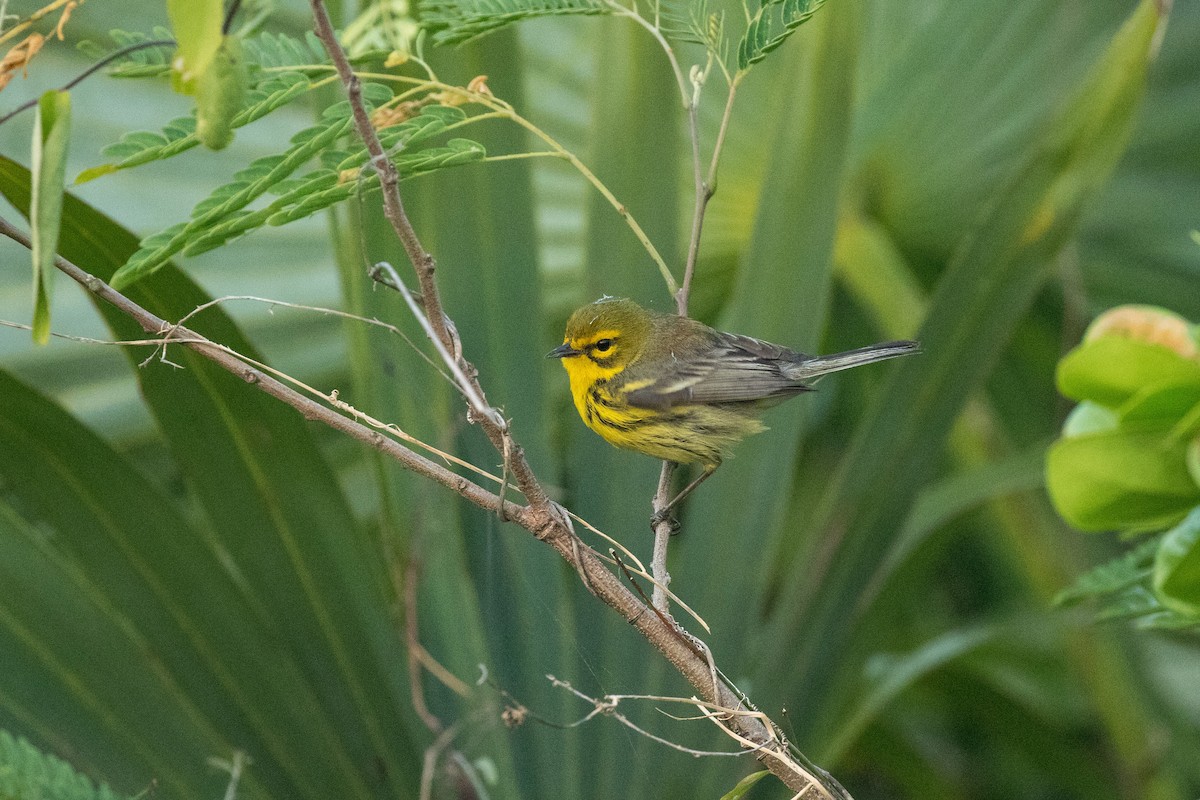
{"points": [[123, 576]]}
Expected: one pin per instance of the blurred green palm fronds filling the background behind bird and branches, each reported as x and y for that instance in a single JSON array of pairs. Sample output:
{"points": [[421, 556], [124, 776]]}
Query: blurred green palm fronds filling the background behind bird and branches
{"points": [[188, 572]]}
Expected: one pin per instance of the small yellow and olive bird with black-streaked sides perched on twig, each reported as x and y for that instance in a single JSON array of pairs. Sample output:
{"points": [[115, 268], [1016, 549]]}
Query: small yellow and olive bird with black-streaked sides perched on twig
{"points": [[675, 389]]}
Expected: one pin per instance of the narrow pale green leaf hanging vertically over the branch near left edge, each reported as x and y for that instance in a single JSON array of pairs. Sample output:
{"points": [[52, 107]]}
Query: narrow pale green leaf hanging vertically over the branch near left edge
{"points": [[52, 131]]}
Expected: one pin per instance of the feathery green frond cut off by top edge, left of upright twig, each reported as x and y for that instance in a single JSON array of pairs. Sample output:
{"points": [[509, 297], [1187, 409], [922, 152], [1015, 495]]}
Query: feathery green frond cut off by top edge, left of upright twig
{"points": [[453, 22]]}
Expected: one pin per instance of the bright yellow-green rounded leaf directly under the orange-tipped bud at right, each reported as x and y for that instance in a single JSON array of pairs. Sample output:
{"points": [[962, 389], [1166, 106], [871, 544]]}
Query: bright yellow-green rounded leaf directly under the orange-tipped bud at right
{"points": [[1111, 370]]}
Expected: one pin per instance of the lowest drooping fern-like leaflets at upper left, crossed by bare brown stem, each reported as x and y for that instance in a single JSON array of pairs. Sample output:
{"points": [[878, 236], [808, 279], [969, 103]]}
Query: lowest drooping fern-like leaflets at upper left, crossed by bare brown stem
{"points": [[227, 213]]}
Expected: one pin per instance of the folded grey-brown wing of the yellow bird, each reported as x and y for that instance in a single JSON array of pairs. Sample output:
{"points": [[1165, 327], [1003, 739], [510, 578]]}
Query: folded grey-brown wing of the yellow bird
{"points": [[735, 370]]}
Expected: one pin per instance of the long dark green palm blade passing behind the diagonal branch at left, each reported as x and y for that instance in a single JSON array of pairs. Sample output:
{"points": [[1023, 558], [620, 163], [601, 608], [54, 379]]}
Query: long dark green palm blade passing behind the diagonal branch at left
{"points": [[277, 515]]}
